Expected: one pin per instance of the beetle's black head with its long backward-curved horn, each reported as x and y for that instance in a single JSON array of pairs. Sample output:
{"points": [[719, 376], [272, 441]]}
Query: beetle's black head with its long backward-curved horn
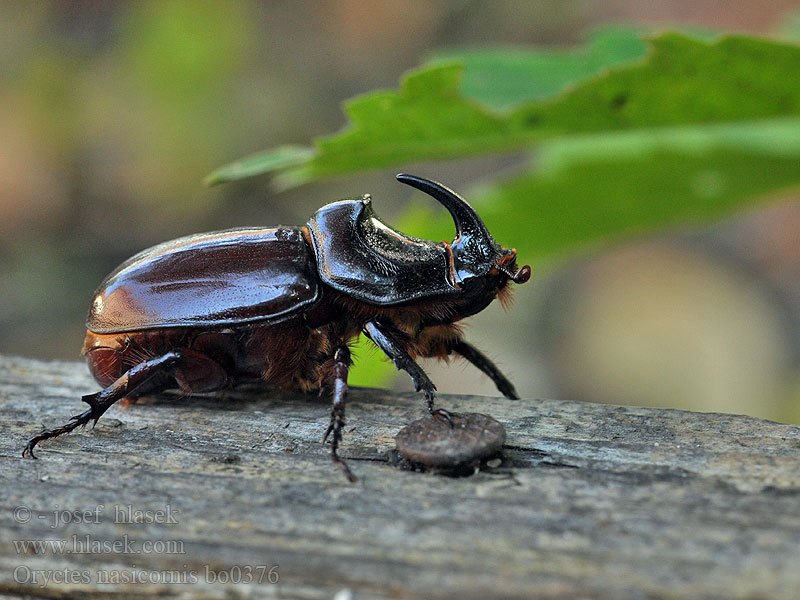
{"points": [[480, 266]]}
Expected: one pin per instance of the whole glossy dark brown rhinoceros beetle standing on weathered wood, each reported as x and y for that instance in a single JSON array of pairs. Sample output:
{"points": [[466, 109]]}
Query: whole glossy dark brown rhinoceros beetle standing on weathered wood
{"points": [[209, 311]]}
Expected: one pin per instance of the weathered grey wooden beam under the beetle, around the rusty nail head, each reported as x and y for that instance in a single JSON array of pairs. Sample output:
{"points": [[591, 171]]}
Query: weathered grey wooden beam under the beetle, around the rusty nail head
{"points": [[590, 501]]}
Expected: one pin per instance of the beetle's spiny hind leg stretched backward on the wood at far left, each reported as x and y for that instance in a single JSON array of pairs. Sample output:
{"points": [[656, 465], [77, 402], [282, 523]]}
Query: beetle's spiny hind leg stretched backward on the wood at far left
{"points": [[101, 401]]}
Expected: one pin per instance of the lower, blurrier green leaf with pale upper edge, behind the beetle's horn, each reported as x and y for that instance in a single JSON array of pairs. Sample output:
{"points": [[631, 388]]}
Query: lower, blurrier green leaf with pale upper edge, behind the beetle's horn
{"points": [[588, 189]]}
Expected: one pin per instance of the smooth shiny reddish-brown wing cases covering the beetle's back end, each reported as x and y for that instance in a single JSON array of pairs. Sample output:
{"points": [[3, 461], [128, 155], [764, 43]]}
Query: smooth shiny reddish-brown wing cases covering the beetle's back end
{"points": [[208, 280]]}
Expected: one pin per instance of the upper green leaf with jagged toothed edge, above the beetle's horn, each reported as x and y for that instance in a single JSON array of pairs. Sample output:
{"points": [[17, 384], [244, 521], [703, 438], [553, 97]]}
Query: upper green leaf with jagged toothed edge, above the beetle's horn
{"points": [[681, 81]]}
